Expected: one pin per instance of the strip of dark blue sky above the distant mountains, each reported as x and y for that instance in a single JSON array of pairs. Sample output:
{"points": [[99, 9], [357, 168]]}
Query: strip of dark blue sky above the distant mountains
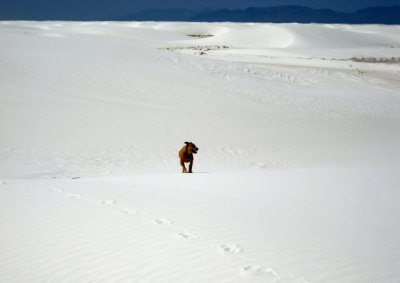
{"points": [[104, 8]]}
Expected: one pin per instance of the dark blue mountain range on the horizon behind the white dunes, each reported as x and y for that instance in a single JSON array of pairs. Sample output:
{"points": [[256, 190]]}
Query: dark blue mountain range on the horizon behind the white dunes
{"points": [[281, 14]]}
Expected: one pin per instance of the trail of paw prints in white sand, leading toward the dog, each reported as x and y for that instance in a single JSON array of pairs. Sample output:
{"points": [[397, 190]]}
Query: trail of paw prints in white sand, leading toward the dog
{"points": [[226, 250]]}
